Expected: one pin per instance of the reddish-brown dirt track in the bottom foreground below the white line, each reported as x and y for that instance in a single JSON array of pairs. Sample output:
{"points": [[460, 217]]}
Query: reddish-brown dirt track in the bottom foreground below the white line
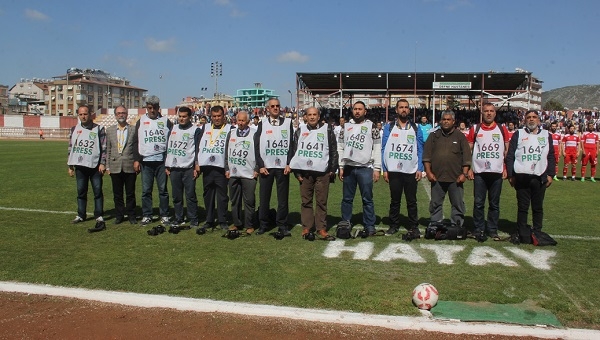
{"points": [[24, 316]]}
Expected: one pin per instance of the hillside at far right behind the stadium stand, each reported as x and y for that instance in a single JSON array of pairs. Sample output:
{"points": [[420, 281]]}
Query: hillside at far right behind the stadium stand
{"points": [[574, 97]]}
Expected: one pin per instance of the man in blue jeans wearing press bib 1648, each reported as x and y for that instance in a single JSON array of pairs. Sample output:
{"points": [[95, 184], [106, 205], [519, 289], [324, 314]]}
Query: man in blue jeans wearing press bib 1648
{"points": [[359, 147]]}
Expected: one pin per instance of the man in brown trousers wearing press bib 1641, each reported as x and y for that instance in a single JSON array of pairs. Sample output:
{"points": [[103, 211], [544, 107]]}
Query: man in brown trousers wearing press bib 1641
{"points": [[314, 163]]}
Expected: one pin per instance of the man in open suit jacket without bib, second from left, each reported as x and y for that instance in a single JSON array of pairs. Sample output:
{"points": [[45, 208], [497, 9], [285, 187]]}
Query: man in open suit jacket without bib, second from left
{"points": [[119, 142]]}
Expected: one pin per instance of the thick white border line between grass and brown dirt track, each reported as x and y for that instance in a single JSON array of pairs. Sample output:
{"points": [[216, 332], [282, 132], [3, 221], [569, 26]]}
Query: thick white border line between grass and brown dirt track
{"points": [[423, 323]]}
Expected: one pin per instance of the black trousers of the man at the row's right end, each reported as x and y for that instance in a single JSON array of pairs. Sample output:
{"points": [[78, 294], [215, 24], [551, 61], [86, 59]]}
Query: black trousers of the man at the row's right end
{"points": [[530, 192]]}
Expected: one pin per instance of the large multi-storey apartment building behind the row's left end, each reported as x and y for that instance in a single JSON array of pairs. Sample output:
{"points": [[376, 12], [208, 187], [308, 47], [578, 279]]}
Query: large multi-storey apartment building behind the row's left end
{"points": [[96, 88]]}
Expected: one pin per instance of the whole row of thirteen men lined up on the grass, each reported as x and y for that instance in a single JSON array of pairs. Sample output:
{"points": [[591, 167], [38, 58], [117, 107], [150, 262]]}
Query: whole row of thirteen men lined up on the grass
{"points": [[237, 157]]}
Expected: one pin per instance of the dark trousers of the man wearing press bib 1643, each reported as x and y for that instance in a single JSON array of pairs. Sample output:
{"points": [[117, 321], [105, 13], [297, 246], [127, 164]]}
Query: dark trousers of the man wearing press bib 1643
{"points": [[283, 191]]}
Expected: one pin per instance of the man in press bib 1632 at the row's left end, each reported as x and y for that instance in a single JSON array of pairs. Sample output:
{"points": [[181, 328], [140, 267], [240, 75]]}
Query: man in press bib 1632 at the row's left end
{"points": [[87, 159]]}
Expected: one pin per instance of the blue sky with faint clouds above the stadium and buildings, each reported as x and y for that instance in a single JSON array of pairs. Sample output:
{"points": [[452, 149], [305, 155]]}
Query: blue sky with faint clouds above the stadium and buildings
{"points": [[269, 41]]}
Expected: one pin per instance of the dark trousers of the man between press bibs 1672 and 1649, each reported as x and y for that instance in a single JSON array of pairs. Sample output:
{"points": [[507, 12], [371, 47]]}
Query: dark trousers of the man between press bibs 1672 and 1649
{"points": [[215, 188]]}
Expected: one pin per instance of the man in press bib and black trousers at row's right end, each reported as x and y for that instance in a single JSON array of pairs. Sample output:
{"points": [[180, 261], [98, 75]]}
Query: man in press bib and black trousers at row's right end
{"points": [[530, 168]]}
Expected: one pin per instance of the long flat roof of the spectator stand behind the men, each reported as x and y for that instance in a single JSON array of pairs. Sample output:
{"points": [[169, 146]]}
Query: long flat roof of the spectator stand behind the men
{"points": [[407, 83]]}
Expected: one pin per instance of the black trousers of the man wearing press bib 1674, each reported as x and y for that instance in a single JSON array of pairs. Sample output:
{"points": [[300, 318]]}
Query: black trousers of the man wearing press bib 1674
{"points": [[401, 182]]}
